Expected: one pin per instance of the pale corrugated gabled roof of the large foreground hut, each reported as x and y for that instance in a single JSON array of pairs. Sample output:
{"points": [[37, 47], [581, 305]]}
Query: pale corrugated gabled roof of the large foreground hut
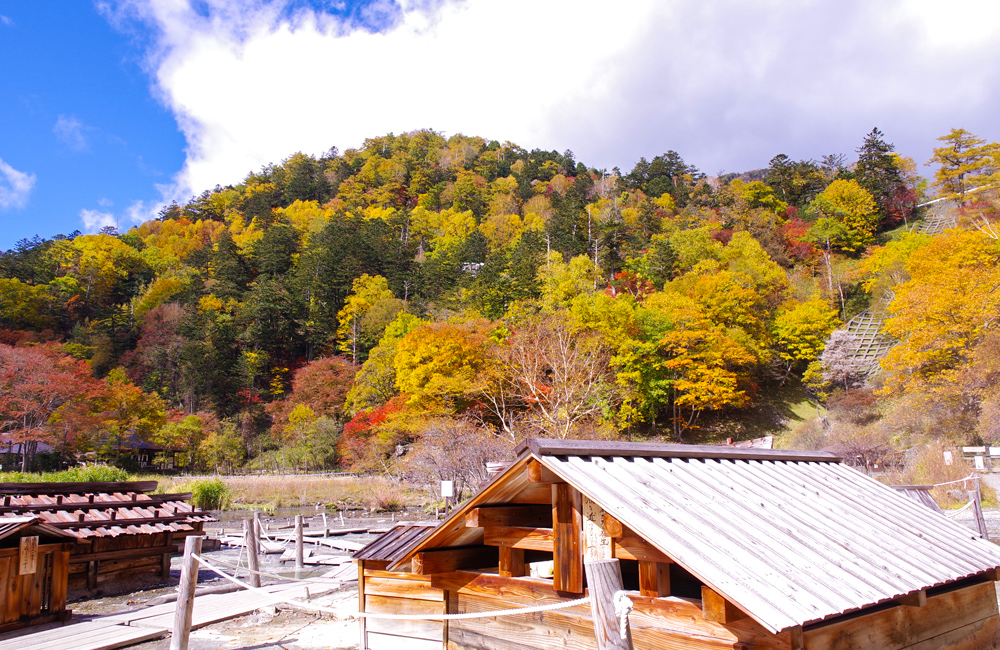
{"points": [[791, 538]]}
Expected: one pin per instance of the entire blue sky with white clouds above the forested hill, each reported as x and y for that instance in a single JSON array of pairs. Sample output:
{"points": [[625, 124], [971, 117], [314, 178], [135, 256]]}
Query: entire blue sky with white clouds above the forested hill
{"points": [[109, 109]]}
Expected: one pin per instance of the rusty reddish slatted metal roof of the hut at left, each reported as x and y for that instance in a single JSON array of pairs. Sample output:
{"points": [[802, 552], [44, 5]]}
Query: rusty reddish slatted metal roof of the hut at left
{"points": [[107, 513]]}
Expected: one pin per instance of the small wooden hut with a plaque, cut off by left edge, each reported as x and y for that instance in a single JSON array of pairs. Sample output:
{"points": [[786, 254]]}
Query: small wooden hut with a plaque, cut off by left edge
{"points": [[34, 566]]}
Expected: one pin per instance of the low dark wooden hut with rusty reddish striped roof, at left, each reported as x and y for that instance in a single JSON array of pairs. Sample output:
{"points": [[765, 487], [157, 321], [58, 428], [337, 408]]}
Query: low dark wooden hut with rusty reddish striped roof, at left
{"points": [[123, 531]]}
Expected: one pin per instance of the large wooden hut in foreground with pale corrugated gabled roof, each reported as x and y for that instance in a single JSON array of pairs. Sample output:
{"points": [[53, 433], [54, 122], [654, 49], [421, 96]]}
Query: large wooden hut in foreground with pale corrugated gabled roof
{"points": [[719, 548]]}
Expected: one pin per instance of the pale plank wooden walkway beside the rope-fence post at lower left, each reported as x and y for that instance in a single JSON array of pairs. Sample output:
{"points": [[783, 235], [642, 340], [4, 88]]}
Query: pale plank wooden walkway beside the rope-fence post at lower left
{"points": [[128, 628]]}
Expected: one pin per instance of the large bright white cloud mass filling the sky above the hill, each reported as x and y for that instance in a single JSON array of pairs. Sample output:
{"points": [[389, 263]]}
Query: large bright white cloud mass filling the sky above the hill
{"points": [[728, 84]]}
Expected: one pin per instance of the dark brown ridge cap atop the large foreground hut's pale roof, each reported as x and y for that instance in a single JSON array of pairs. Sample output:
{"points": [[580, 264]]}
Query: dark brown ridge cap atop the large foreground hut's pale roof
{"points": [[561, 447]]}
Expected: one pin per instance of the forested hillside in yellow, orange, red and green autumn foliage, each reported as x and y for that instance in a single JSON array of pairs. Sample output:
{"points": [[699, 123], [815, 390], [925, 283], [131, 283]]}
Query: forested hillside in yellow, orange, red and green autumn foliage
{"points": [[426, 301]]}
